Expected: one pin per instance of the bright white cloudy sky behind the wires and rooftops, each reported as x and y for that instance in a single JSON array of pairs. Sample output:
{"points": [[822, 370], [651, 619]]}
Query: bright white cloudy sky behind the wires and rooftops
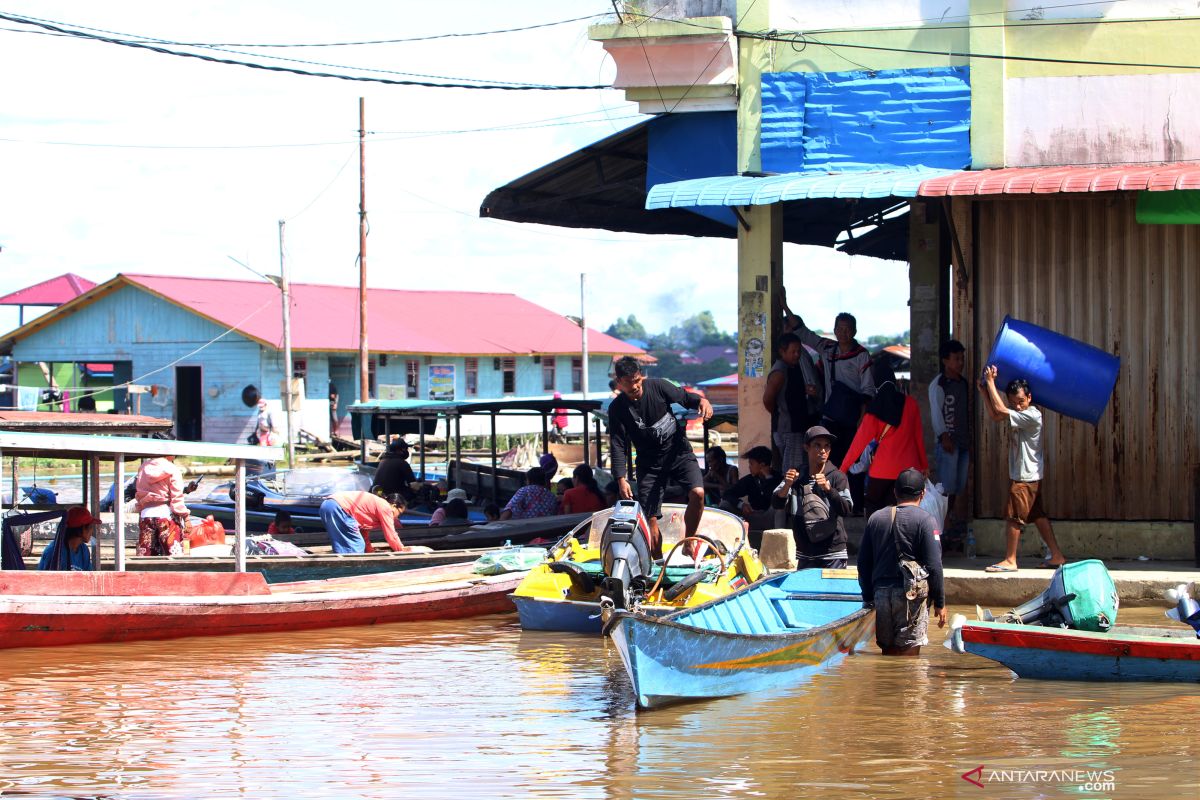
{"points": [[127, 160]]}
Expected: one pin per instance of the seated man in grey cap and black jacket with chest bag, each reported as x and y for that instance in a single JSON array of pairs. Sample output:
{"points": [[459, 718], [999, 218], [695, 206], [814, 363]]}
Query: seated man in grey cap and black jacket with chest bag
{"points": [[823, 500]]}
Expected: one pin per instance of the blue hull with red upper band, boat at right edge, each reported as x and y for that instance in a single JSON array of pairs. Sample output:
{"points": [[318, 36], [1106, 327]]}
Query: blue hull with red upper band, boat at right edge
{"points": [[1133, 654]]}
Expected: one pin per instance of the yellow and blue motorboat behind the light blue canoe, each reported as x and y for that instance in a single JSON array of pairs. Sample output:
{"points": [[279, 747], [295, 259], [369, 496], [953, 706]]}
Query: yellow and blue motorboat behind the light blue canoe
{"points": [[566, 593]]}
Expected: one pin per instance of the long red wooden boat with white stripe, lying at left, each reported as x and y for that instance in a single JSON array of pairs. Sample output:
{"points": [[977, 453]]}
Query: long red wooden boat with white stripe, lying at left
{"points": [[61, 609]]}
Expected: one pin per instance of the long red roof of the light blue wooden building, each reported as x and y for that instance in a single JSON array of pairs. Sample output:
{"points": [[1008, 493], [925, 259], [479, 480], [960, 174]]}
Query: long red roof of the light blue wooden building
{"points": [[327, 318]]}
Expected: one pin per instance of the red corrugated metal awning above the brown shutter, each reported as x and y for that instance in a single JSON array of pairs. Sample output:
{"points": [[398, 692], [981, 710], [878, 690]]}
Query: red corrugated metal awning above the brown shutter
{"points": [[1053, 181]]}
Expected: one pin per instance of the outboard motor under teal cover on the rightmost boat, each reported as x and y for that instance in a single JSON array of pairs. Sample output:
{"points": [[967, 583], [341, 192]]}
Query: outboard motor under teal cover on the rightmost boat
{"points": [[1082, 597]]}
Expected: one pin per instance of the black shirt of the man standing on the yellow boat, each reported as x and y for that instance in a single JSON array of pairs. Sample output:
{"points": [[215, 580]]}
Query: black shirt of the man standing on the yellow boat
{"points": [[631, 423]]}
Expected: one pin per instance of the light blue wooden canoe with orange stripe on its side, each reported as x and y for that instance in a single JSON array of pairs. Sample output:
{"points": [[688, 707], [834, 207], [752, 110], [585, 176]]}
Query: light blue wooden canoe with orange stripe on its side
{"points": [[777, 633]]}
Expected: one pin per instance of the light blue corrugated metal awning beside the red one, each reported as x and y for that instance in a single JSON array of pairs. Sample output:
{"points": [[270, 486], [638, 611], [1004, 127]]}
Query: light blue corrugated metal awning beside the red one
{"points": [[747, 190]]}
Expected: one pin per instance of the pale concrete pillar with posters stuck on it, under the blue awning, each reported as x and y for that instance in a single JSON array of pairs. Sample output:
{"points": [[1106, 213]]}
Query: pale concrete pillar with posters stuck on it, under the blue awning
{"points": [[760, 275]]}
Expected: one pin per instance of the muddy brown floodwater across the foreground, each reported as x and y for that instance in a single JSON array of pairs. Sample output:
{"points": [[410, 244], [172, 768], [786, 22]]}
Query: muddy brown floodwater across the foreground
{"points": [[481, 708]]}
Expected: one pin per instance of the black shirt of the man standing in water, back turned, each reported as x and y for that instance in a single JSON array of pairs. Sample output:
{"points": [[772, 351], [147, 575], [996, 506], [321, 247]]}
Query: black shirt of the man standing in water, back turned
{"points": [[879, 566]]}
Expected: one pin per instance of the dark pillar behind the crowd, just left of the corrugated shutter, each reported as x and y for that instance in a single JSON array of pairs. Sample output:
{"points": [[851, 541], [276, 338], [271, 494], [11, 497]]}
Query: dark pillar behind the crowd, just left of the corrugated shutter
{"points": [[926, 276]]}
